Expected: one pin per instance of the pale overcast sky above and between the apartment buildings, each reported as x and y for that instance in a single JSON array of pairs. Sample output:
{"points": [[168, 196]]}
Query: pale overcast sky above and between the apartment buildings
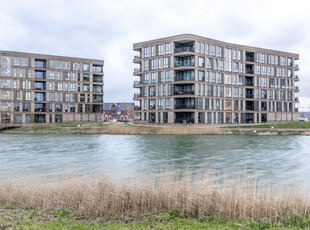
{"points": [[105, 29]]}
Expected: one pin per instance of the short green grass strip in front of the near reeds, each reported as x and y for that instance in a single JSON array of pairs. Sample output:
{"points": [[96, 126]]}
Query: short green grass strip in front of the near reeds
{"points": [[15, 218]]}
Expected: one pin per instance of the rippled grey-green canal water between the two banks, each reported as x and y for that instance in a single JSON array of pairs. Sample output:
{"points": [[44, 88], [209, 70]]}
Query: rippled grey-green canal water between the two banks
{"points": [[284, 159]]}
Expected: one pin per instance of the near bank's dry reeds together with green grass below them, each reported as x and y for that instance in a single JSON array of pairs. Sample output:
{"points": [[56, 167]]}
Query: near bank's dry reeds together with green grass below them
{"points": [[149, 201]]}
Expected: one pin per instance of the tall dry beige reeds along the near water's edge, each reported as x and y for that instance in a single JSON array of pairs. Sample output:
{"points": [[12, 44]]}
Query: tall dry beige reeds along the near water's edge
{"points": [[194, 196]]}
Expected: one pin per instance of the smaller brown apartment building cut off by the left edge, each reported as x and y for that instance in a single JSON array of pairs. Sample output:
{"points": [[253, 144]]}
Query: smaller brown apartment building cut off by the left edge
{"points": [[38, 88]]}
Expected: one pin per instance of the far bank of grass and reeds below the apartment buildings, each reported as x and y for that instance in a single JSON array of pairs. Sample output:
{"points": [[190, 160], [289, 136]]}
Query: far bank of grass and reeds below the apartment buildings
{"points": [[291, 128]]}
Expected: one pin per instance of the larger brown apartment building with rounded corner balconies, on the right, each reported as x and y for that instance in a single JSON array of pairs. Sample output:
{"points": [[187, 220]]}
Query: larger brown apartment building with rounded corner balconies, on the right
{"points": [[193, 79]]}
